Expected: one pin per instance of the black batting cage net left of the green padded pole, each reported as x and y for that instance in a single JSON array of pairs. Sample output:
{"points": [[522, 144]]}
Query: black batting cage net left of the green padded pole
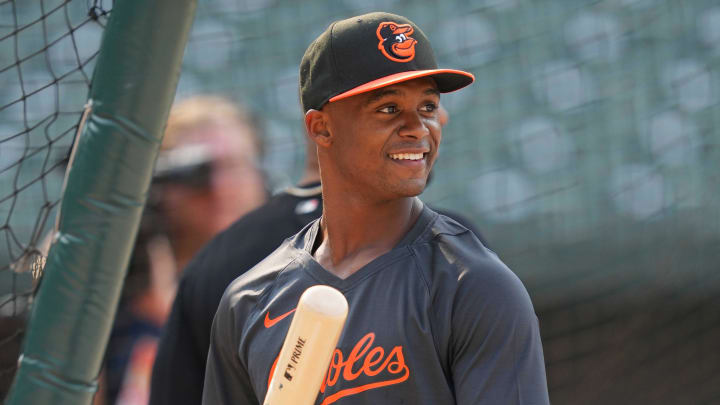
{"points": [[47, 54]]}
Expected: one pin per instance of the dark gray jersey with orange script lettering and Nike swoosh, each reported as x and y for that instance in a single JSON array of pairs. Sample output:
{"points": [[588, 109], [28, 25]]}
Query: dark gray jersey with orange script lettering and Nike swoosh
{"points": [[439, 319]]}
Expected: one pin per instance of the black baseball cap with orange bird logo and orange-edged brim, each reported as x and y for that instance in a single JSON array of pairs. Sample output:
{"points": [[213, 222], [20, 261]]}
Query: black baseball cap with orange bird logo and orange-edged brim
{"points": [[367, 52]]}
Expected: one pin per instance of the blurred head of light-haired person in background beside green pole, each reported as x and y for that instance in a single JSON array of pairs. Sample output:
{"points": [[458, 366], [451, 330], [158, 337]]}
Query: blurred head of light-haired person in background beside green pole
{"points": [[207, 174]]}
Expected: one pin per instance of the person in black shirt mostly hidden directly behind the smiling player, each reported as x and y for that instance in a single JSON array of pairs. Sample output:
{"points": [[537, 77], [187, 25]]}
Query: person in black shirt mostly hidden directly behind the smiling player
{"points": [[179, 371]]}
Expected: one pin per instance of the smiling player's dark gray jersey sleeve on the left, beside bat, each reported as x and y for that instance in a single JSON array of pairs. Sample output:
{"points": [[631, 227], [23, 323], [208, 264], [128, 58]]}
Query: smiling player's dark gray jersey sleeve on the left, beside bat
{"points": [[226, 379]]}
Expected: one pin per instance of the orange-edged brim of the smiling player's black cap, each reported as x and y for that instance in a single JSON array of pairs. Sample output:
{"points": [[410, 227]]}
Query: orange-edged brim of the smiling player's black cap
{"points": [[447, 80]]}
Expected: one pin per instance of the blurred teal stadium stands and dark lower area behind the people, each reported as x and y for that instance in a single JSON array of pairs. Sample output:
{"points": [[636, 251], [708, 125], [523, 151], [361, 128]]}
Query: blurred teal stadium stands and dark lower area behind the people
{"points": [[587, 153]]}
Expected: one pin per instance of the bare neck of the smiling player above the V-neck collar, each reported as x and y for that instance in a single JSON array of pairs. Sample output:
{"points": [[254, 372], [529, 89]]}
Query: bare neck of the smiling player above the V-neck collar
{"points": [[354, 232]]}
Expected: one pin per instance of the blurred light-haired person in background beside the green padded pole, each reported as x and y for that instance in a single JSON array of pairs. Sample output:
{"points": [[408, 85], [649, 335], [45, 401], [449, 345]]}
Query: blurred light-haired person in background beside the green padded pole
{"points": [[207, 175]]}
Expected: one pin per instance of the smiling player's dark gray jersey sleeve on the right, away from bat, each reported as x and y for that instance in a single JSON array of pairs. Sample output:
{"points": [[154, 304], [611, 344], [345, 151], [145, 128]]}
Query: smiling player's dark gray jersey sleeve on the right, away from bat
{"points": [[496, 350]]}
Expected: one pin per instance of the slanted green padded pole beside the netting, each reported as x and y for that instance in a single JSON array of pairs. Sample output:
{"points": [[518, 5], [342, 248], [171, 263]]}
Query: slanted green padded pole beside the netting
{"points": [[133, 87]]}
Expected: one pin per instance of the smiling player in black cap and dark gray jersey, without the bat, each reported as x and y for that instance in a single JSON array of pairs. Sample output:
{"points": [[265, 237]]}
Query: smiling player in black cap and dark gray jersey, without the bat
{"points": [[435, 317]]}
